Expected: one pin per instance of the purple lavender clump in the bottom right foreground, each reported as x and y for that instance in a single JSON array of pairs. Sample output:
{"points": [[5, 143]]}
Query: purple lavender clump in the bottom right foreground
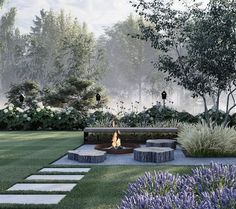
{"points": [[211, 188]]}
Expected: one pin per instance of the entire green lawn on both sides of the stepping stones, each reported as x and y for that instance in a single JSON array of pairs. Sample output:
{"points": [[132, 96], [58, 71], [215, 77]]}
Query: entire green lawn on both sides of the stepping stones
{"points": [[24, 153]]}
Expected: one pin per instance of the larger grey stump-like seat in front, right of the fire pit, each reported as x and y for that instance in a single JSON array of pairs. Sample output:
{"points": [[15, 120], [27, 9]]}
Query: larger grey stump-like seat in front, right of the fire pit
{"points": [[153, 154]]}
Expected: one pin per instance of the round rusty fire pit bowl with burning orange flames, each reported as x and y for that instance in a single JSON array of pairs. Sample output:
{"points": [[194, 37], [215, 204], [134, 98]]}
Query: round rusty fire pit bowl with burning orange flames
{"points": [[116, 147]]}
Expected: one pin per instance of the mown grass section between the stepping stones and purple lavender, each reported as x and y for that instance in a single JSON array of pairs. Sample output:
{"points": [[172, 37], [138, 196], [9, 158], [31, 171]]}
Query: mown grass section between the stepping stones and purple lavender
{"points": [[104, 186]]}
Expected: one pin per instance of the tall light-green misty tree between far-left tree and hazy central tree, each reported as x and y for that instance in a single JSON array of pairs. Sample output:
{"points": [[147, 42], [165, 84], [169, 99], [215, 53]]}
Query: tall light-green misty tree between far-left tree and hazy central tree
{"points": [[58, 47]]}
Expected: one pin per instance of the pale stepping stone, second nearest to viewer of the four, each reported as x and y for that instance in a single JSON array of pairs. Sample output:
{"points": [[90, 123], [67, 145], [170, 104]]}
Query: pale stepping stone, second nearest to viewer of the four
{"points": [[42, 187]]}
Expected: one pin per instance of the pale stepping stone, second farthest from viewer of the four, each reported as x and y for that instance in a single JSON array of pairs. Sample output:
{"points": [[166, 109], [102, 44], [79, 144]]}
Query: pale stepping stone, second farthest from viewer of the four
{"points": [[55, 177]]}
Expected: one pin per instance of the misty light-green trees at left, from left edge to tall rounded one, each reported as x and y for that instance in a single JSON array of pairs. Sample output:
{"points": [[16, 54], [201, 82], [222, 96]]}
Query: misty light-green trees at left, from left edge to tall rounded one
{"points": [[57, 47]]}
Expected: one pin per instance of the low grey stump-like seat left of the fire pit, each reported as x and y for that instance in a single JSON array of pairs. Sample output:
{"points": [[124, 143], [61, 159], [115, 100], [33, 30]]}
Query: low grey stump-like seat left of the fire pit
{"points": [[94, 156]]}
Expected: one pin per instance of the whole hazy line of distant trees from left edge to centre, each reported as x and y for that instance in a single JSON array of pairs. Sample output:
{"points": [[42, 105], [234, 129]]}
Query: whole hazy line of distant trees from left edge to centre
{"points": [[58, 47]]}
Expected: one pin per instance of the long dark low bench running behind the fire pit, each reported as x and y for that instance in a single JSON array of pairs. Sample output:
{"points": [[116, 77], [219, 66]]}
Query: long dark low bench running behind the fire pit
{"points": [[128, 134]]}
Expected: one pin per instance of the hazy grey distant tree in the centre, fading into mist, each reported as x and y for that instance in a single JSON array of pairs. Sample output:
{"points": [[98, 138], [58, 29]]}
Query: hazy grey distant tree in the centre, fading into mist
{"points": [[129, 60]]}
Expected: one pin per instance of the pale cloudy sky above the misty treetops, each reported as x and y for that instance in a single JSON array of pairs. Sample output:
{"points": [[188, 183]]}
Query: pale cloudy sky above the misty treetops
{"points": [[96, 13]]}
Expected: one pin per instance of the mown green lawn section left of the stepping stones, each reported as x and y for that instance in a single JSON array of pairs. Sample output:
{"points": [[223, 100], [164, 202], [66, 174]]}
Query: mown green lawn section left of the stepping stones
{"points": [[24, 153]]}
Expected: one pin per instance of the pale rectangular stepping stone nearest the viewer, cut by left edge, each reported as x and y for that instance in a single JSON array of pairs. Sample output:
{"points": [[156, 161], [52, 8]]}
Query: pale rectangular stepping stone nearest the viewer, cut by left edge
{"points": [[30, 199]]}
